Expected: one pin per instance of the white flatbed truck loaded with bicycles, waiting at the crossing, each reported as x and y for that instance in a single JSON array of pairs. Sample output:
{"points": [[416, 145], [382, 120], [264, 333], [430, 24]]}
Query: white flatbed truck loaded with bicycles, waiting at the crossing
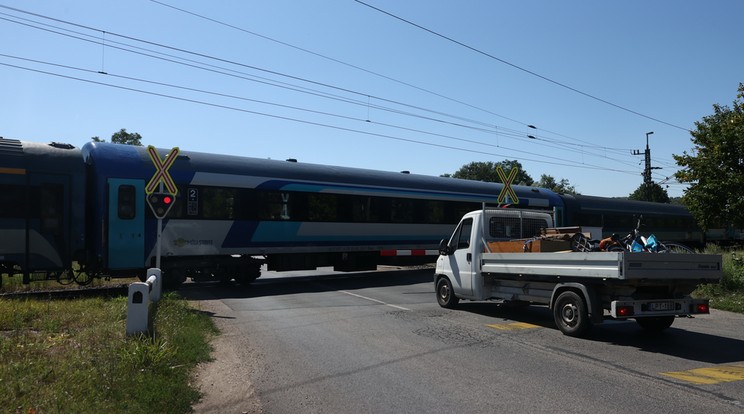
{"points": [[581, 288]]}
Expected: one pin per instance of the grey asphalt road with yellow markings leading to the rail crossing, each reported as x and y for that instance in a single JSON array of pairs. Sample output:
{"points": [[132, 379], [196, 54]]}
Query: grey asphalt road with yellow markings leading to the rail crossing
{"points": [[379, 343]]}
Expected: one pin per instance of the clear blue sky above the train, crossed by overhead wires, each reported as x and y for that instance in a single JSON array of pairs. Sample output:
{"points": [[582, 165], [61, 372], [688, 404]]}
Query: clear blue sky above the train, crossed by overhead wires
{"points": [[338, 82]]}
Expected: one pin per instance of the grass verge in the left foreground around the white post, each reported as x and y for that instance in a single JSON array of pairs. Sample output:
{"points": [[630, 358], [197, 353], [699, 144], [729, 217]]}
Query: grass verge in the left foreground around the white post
{"points": [[74, 356]]}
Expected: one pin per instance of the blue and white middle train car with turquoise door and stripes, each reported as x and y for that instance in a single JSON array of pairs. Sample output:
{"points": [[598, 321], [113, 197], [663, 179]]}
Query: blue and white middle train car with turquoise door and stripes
{"points": [[232, 213]]}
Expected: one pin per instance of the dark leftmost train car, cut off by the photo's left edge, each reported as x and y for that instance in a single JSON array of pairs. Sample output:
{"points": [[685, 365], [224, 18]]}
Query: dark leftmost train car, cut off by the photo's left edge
{"points": [[41, 208]]}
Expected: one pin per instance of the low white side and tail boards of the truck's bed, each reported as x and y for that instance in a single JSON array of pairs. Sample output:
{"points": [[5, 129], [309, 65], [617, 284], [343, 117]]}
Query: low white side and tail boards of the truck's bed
{"points": [[605, 265]]}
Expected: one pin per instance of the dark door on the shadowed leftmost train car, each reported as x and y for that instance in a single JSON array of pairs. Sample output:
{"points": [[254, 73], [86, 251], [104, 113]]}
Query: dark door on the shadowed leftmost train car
{"points": [[48, 222]]}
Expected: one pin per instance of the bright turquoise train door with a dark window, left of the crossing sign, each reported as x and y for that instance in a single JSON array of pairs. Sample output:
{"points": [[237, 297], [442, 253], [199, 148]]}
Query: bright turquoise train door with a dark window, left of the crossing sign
{"points": [[126, 228]]}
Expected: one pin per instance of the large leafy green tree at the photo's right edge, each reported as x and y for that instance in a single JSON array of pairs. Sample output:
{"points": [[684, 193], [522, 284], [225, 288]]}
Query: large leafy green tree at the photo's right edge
{"points": [[715, 167]]}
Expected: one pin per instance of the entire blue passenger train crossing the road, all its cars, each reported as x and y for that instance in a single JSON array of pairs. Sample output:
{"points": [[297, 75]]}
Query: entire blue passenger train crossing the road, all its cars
{"points": [[67, 210]]}
